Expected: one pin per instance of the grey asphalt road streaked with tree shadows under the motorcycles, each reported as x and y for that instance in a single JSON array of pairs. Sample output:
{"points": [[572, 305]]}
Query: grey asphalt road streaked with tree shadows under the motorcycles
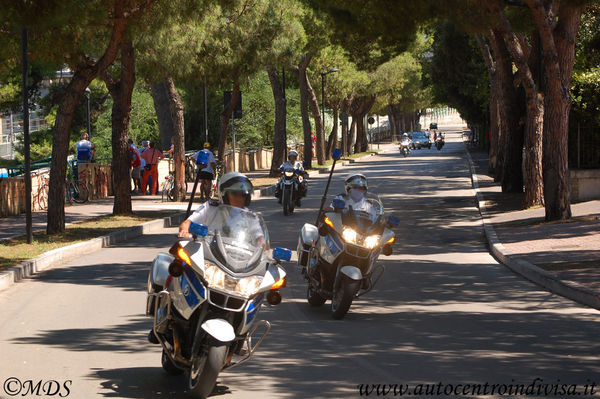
{"points": [[445, 312]]}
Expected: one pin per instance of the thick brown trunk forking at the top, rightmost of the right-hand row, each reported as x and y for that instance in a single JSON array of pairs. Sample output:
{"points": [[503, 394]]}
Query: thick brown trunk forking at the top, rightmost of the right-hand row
{"points": [[558, 38]]}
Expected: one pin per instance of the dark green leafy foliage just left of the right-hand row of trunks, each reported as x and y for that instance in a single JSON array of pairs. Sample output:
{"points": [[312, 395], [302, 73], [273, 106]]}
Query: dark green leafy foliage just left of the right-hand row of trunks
{"points": [[458, 74]]}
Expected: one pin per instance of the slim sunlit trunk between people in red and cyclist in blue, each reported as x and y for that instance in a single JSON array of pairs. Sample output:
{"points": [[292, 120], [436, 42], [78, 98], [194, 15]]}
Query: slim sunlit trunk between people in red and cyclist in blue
{"points": [[176, 111]]}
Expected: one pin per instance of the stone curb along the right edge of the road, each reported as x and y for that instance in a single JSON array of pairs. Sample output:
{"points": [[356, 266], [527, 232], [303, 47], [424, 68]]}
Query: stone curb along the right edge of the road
{"points": [[521, 266]]}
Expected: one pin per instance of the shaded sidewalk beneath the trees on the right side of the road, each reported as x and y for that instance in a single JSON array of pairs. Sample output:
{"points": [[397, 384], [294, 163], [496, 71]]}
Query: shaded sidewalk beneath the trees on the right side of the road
{"points": [[562, 257]]}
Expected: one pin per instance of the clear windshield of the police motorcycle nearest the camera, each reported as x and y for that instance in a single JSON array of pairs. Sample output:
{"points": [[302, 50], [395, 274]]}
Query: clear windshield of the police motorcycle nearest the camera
{"points": [[237, 238]]}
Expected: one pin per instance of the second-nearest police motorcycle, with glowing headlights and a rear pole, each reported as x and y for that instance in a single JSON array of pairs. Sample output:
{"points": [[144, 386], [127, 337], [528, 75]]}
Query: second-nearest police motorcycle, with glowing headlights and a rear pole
{"points": [[338, 258]]}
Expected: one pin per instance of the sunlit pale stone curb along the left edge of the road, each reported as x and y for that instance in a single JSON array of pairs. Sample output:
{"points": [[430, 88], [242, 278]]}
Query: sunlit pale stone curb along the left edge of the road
{"points": [[51, 258]]}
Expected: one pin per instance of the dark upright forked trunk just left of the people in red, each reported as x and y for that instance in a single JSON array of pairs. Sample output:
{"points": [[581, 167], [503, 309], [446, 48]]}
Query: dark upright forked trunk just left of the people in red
{"points": [[121, 92]]}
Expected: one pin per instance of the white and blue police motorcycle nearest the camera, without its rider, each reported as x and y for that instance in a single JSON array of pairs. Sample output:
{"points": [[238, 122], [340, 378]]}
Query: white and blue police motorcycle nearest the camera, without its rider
{"points": [[205, 294]]}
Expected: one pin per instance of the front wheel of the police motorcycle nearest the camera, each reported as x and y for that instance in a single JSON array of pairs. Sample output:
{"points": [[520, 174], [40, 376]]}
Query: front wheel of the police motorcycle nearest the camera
{"points": [[205, 370]]}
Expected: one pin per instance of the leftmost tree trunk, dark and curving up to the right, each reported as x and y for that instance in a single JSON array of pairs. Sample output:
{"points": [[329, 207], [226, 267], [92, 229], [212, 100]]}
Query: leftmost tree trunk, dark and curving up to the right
{"points": [[83, 75]]}
